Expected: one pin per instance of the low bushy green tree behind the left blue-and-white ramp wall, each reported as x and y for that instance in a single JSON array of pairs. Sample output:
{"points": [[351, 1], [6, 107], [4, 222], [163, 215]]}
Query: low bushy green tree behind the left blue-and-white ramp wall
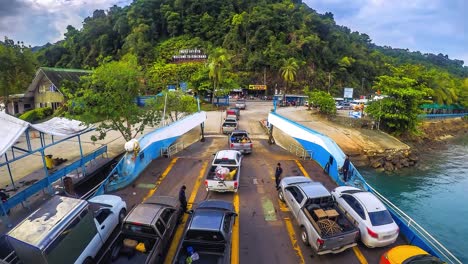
{"points": [[174, 104]]}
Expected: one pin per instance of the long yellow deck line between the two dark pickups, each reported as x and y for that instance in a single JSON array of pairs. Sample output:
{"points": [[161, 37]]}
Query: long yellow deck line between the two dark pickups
{"points": [[180, 229]]}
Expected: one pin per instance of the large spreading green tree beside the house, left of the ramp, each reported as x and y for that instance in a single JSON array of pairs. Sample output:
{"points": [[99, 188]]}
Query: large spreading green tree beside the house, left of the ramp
{"points": [[108, 95]]}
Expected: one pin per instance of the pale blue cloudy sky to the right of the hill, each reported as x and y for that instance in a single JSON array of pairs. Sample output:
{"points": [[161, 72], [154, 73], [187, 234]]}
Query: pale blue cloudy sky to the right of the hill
{"points": [[434, 26]]}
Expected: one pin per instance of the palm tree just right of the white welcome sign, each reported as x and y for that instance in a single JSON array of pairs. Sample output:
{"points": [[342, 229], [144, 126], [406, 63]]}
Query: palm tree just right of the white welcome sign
{"points": [[218, 65]]}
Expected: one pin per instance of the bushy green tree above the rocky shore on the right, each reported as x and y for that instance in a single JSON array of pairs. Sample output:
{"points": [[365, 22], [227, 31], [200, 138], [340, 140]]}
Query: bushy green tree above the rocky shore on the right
{"points": [[398, 113]]}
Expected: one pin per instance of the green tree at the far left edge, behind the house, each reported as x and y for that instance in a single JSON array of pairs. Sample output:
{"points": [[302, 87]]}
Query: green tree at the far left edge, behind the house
{"points": [[17, 65]]}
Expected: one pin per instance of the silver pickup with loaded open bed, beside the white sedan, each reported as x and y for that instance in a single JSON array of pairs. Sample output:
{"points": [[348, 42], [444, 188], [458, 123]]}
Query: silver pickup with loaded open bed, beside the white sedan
{"points": [[324, 226]]}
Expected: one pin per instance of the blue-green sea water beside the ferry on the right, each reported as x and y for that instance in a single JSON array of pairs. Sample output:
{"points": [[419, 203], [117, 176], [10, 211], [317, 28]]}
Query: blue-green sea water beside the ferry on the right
{"points": [[434, 193]]}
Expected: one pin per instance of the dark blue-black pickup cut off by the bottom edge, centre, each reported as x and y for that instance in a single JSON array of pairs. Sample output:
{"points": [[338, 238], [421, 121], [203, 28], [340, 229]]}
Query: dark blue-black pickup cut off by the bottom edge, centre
{"points": [[207, 237]]}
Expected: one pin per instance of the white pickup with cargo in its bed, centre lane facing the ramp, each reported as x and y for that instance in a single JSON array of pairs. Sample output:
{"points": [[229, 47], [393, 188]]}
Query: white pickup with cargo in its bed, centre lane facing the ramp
{"points": [[224, 173]]}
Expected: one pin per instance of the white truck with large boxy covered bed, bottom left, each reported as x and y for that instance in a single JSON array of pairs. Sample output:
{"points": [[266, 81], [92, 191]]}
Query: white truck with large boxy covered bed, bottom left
{"points": [[67, 230]]}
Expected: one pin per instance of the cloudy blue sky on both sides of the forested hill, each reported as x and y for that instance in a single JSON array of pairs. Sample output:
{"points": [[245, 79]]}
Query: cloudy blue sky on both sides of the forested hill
{"points": [[435, 26]]}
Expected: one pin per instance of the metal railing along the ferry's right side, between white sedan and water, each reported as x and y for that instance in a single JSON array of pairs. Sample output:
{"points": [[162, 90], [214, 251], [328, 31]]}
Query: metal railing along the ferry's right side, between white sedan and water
{"points": [[419, 230]]}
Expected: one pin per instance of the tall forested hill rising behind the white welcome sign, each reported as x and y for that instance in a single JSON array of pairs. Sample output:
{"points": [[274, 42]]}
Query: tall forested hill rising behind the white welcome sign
{"points": [[260, 36]]}
